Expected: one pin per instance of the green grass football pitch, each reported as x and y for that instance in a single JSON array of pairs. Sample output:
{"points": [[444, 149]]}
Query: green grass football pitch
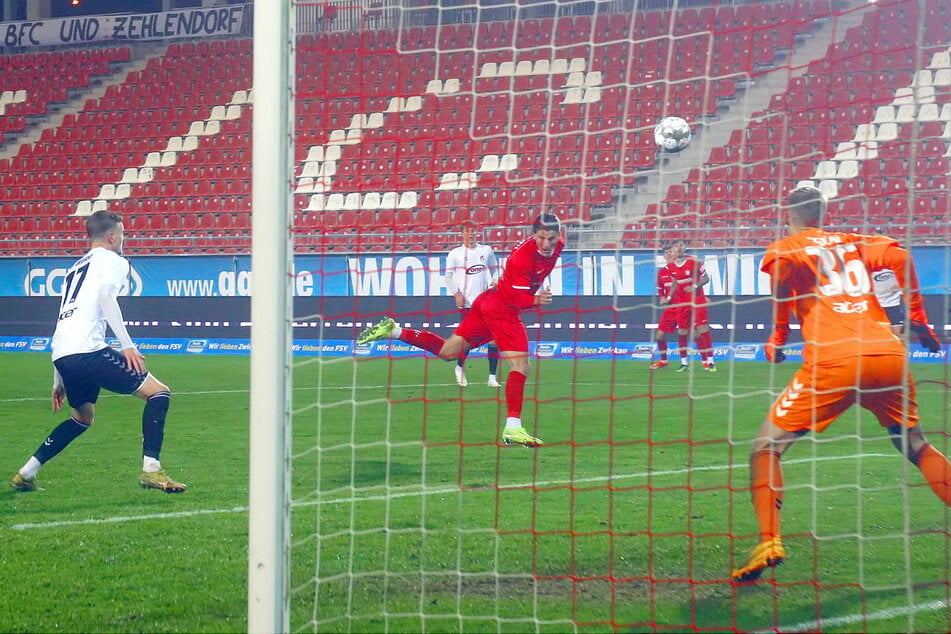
{"points": [[409, 516]]}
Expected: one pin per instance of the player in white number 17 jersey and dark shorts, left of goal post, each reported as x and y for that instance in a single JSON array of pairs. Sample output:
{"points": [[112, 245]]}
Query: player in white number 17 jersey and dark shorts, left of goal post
{"points": [[83, 363]]}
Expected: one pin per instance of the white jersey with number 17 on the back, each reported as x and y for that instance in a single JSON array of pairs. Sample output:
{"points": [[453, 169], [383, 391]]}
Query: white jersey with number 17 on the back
{"points": [[81, 326]]}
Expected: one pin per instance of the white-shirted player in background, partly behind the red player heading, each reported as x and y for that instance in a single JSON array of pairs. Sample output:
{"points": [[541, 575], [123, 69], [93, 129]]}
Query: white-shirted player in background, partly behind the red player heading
{"points": [[470, 269]]}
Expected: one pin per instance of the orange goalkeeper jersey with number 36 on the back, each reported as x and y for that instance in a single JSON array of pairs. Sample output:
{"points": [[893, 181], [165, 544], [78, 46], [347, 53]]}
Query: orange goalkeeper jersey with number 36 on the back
{"points": [[824, 278]]}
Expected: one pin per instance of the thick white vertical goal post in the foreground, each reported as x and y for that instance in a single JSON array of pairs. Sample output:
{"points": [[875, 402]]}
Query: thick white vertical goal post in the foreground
{"points": [[272, 162]]}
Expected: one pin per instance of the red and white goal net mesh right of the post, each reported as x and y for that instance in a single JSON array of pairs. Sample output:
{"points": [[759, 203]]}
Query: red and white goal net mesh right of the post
{"points": [[408, 514]]}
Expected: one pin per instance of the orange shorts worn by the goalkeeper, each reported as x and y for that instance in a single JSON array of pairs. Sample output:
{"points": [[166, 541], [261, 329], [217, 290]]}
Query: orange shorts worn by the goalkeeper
{"points": [[818, 394]]}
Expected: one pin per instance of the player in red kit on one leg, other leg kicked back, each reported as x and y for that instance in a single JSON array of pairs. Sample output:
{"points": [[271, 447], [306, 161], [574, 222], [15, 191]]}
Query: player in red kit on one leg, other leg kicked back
{"points": [[495, 315]]}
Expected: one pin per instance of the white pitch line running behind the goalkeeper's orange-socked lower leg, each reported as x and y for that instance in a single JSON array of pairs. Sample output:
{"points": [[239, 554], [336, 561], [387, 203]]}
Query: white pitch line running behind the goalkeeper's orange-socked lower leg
{"points": [[417, 493]]}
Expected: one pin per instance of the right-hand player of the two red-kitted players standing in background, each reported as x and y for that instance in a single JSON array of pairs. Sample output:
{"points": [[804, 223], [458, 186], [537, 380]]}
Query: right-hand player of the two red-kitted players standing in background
{"points": [[687, 296]]}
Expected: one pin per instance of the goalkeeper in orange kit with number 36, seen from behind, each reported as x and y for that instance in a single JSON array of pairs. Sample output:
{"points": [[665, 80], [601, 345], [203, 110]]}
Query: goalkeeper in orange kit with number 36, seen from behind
{"points": [[850, 355]]}
